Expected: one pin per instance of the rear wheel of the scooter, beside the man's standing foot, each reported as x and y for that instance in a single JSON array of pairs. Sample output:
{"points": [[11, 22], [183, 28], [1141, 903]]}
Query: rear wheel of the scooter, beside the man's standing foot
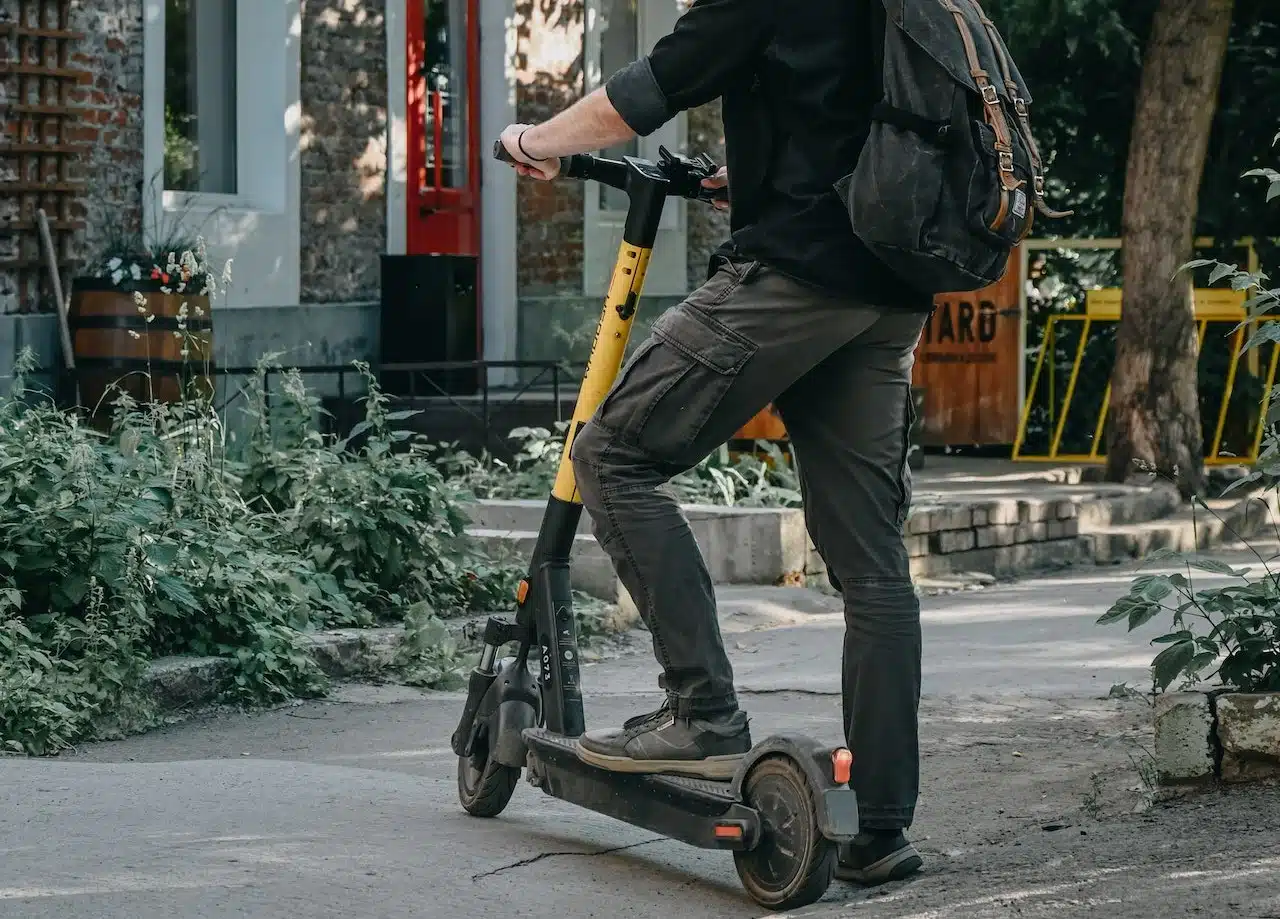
{"points": [[794, 863]]}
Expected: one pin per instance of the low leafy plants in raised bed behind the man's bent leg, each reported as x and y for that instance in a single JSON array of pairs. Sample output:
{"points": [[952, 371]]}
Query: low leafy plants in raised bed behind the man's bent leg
{"points": [[746, 481]]}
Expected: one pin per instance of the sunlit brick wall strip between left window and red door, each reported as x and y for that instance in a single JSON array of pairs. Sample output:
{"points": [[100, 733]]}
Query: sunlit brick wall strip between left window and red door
{"points": [[344, 140]]}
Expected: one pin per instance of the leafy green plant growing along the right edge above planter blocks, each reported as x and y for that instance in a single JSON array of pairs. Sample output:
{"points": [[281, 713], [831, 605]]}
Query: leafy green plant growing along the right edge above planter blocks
{"points": [[1229, 633]]}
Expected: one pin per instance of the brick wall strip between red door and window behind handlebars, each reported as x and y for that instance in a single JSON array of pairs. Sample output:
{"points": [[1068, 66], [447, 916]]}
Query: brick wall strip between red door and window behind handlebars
{"points": [[548, 80]]}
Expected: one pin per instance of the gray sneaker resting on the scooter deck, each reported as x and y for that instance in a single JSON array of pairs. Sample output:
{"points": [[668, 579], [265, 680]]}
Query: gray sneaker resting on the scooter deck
{"points": [[660, 743]]}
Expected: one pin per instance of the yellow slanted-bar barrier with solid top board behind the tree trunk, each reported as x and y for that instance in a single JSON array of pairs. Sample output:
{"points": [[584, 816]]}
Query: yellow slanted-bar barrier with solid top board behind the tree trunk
{"points": [[1104, 307]]}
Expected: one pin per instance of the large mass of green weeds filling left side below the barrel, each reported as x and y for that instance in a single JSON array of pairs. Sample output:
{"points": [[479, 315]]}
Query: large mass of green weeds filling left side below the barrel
{"points": [[157, 539]]}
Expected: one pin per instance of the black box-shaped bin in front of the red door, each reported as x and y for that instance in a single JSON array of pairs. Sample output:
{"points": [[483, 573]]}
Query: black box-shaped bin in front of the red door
{"points": [[429, 314]]}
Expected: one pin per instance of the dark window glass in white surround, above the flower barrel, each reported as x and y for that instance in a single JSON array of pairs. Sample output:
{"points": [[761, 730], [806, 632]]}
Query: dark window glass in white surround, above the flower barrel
{"points": [[200, 130]]}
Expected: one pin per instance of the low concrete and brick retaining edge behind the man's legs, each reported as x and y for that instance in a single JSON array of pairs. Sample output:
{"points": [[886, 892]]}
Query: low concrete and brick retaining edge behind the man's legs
{"points": [[1000, 537]]}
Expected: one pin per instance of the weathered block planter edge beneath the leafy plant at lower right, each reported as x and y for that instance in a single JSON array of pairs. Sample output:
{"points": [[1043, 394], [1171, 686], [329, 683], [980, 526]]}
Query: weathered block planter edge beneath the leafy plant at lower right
{"points": [[1208, 738]]}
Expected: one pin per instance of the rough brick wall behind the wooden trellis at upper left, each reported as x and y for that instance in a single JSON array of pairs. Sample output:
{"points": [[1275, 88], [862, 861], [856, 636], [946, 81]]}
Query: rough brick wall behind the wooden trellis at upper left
{"points": [[109, 132]]}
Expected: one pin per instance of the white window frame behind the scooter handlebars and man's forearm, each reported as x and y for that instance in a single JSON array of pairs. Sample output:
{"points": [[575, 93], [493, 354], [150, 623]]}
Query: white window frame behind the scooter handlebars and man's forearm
{"points": [[655, 19]]}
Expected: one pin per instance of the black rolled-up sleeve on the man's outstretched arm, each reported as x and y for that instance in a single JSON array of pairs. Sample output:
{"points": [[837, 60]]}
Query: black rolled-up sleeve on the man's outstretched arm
{"points": [[692, 66]]}
